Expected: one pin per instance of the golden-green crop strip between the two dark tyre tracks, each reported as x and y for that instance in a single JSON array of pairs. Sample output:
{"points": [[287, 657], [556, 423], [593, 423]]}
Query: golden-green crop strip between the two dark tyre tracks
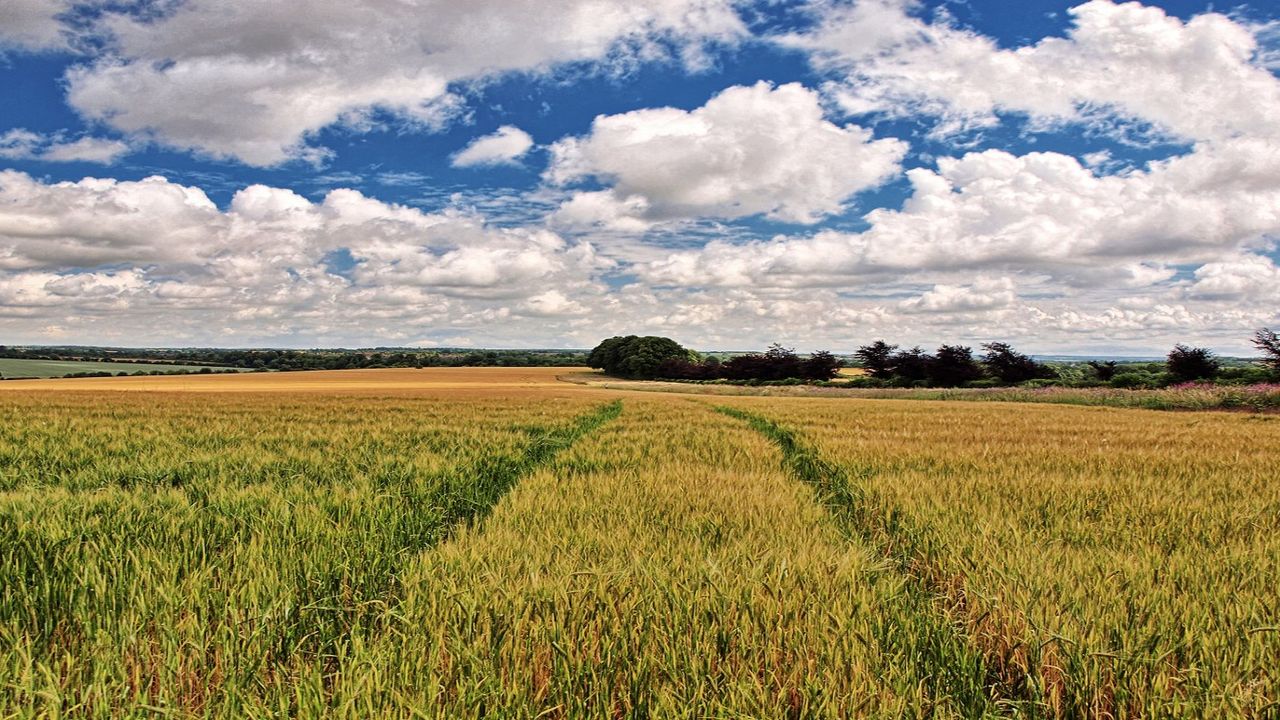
{"points": [[669, 567]]}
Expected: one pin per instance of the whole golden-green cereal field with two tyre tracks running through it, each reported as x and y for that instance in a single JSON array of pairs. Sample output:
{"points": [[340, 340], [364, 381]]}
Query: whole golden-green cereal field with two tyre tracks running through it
{"points": [[499, 544]]}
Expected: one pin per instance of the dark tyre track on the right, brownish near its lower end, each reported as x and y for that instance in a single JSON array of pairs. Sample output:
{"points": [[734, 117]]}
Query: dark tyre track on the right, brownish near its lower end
{"points": [[934, 591]]}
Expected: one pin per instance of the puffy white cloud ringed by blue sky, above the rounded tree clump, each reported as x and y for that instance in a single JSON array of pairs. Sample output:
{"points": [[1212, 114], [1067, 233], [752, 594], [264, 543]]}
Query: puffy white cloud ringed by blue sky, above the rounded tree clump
{"points": [[748, 152]]}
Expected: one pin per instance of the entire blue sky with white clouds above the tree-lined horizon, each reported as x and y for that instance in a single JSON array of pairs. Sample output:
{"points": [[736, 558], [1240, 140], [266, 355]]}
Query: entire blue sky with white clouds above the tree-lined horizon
{"points": [[1073, 179]]}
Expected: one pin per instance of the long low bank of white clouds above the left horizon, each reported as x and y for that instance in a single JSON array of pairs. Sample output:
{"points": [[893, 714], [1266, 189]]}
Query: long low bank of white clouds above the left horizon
{"points": [[263, 263]]}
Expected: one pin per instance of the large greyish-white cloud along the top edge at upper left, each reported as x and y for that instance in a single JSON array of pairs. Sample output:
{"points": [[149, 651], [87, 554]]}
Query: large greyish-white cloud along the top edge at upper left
{"points": [[252, 80]]}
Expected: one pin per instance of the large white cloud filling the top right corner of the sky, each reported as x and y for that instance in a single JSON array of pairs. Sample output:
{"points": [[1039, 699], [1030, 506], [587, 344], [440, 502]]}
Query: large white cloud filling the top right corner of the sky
{"points": [[1196, 80]]}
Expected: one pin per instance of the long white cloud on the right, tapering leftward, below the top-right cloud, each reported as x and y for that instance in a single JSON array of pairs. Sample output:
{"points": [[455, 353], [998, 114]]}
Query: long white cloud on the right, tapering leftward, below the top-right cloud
{"points": [[1043, 213]]}
